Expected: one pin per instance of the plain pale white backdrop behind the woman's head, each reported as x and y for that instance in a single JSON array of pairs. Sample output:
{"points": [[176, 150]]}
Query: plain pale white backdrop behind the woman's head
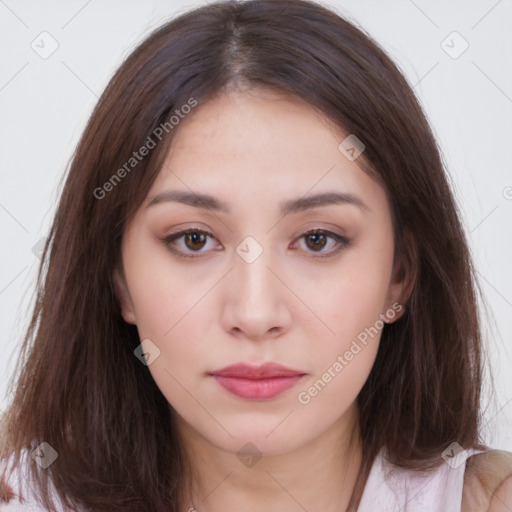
{"points": [[456, 55]]}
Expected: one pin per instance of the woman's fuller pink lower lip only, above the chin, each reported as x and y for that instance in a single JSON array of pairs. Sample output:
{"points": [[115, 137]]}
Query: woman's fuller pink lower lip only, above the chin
{"points": [[260, 389]]}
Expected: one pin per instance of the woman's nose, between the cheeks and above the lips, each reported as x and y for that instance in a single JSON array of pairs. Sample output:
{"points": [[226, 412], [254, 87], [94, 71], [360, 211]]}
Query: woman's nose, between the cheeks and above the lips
{"points": [[257, 301]]}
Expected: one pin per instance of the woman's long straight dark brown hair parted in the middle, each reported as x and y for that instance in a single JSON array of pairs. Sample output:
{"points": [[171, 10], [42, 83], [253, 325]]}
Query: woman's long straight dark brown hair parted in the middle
{"points": [[424, 389]]}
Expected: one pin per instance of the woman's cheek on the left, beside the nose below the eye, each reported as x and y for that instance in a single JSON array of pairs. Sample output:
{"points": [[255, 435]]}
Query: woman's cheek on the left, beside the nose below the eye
{"points": [[172, 308]]}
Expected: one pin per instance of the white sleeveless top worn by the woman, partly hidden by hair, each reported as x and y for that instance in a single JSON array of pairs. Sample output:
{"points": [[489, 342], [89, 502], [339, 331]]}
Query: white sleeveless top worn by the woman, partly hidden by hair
{"points": [[388, 488]]}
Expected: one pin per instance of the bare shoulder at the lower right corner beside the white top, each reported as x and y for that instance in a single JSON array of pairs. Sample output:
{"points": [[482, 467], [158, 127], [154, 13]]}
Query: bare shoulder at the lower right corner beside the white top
{"points": [[488, 482]]}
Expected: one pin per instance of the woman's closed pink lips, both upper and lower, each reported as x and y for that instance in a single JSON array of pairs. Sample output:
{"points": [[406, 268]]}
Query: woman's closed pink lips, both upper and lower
{"points": [[260, 382]]}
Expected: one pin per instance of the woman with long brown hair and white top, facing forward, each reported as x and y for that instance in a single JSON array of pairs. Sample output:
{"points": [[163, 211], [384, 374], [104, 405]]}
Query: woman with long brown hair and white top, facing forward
{"points": [[256, 293]]}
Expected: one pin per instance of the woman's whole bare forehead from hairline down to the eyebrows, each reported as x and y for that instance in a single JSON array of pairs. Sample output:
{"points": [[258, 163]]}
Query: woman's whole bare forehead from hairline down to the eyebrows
{"points": [[257, 145]]}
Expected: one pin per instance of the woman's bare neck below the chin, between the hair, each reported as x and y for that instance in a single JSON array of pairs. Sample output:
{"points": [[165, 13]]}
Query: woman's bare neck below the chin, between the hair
{"points": [[319, 475]]}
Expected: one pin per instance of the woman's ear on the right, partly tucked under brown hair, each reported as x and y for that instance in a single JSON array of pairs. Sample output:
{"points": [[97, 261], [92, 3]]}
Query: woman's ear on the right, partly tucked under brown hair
{"points": [[403, 278]]}
